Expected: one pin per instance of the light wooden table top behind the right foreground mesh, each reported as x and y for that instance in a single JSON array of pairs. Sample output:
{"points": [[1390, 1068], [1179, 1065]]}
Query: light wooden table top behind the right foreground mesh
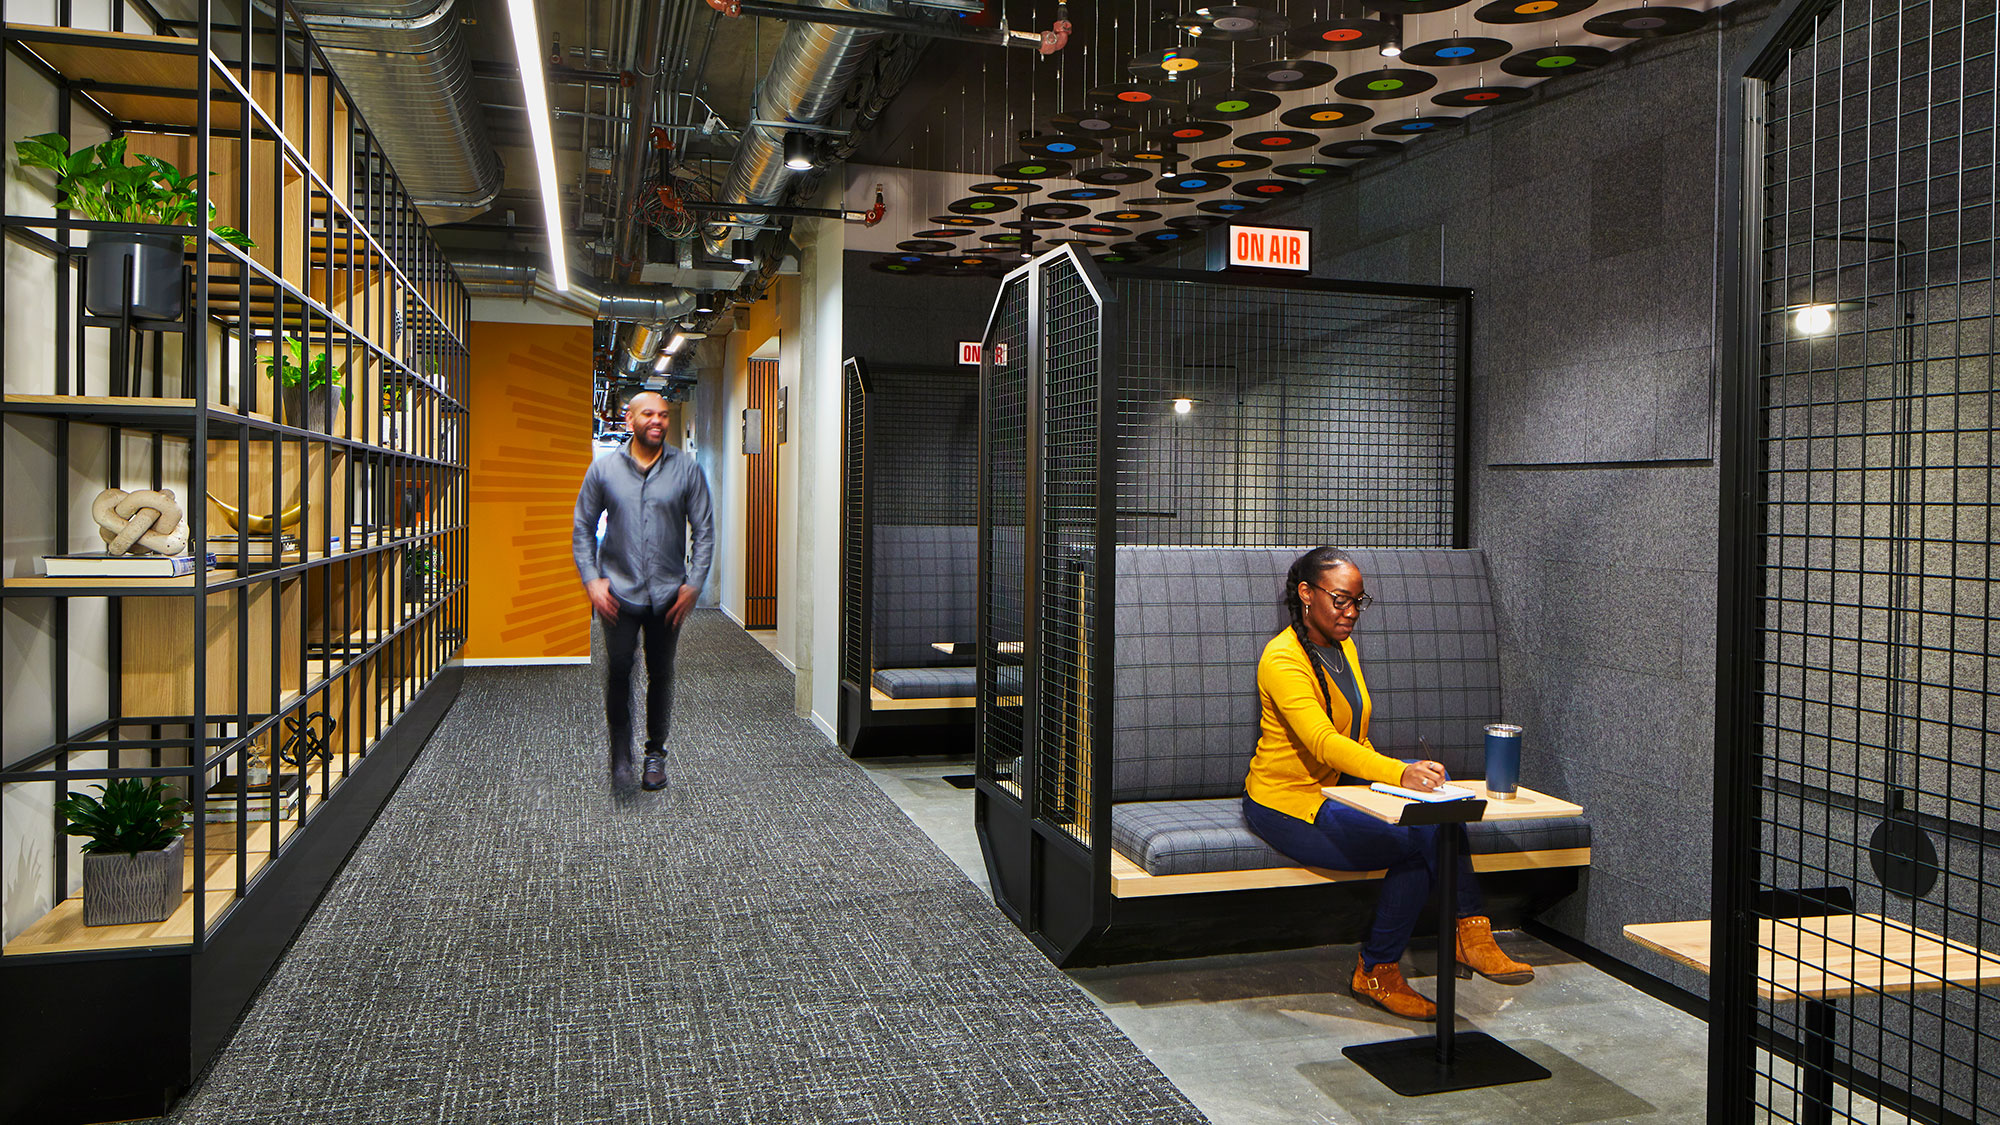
{"points": [[1835, 956]]}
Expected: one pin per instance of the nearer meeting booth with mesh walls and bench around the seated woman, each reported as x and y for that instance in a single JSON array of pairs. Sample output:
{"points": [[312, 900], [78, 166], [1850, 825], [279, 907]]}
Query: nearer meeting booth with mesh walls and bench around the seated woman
{"points": [[1155, 451]]}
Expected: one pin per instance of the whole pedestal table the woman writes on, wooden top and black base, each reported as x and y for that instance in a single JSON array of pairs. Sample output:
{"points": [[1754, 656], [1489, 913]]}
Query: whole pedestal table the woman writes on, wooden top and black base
{"points": [[1445, 1060]]}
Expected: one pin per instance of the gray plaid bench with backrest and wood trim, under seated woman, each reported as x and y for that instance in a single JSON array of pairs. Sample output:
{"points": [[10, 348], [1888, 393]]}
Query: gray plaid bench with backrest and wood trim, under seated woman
{"points": [[1191, 630]]}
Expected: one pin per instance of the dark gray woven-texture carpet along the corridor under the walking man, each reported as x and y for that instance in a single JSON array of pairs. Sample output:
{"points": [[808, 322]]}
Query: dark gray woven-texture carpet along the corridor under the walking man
{"points": [[771, 940]]}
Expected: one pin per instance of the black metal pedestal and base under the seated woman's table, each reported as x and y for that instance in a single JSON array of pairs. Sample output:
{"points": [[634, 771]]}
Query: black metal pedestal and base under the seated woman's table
{"points": [[1445, 1062]]}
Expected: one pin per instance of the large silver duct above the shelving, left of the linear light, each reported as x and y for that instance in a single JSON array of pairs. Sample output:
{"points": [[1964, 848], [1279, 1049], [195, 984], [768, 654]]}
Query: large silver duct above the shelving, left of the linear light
{"points": [[407, 67]]}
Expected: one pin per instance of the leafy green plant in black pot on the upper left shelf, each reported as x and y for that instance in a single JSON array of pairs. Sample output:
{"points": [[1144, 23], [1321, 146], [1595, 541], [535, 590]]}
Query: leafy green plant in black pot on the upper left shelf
{"points": [[103, 185]]}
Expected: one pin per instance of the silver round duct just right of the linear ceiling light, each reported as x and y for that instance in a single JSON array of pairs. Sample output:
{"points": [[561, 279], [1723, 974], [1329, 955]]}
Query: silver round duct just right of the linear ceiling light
{"points": [[809, 75]]}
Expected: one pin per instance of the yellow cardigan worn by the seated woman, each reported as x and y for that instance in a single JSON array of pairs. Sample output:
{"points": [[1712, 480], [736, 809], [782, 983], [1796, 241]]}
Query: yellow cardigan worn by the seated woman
{"points": [[1299, 750]]}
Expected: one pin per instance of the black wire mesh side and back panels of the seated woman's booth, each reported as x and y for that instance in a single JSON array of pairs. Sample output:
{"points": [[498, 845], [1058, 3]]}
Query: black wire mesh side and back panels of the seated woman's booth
{"points": [[1173, 411]]}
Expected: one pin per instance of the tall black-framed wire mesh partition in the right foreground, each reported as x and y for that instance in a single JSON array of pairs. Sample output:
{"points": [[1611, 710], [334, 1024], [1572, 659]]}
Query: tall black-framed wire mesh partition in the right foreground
{"points": [[1859, 900]]}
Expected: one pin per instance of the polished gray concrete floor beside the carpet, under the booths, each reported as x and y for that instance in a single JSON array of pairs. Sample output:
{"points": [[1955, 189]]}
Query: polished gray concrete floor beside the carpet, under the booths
{"points": [[1257, 1040]]}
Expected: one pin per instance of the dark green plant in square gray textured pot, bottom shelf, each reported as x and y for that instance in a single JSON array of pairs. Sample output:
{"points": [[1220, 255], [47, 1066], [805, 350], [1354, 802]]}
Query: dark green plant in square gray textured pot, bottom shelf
{"points": [[133, 850]]}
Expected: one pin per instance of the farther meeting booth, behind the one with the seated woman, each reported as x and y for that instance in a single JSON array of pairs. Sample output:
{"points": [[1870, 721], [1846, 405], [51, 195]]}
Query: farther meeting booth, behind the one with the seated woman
{"points": [[907, 570]]}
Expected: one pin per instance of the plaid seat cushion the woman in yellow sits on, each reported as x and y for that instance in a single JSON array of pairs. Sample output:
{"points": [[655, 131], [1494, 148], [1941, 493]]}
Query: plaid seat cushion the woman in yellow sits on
{"points": [[1193, 838]]}
